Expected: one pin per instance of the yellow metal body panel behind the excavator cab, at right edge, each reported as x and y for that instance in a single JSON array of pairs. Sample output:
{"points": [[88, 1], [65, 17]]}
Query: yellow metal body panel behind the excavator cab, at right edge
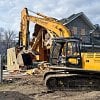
{"points": [[91, 61]]}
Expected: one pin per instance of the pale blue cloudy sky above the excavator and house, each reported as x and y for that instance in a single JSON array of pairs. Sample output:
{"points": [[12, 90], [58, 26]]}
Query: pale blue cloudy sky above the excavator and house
{"points": [[10, 10]]}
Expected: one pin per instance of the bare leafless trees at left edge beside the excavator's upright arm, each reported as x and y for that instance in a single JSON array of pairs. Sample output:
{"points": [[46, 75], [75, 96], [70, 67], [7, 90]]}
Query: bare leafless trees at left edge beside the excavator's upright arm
{"points": [[7, 40]]}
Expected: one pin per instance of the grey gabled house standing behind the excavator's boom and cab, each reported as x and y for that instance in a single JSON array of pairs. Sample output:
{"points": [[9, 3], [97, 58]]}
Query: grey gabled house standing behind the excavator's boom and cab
{"points": [[80, 26]]}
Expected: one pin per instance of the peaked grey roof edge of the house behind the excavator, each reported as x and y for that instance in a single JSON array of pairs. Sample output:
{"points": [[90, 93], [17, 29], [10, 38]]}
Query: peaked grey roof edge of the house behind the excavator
{"points": [[65, 21]]}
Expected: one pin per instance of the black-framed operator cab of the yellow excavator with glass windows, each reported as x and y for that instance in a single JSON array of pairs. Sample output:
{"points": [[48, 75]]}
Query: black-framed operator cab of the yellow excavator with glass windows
{"points": [[66, 51]]}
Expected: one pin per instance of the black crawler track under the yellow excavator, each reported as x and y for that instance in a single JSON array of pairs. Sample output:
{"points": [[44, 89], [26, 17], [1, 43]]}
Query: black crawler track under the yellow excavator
{"points": [[61, 80]]}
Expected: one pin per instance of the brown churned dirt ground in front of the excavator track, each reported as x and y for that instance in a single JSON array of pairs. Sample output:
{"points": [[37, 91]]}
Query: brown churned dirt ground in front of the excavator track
{"points": [[32, 88]]}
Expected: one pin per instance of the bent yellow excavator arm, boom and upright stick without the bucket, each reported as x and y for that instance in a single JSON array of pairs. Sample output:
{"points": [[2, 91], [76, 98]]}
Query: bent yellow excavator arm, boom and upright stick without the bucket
{"points": [[51, 24]]}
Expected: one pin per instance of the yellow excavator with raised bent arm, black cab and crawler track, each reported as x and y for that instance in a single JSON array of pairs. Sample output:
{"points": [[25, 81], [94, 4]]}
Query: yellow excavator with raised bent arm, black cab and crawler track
{"points": [[70, 64]]}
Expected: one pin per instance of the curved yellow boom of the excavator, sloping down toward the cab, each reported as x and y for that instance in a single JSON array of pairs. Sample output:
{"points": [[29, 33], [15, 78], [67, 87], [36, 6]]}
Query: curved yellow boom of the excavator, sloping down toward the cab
{"points": [[54, 26]]}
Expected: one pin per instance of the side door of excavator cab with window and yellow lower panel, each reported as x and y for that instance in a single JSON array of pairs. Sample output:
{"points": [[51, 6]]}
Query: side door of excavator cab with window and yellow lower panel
{"points": [[73, 54]]}
